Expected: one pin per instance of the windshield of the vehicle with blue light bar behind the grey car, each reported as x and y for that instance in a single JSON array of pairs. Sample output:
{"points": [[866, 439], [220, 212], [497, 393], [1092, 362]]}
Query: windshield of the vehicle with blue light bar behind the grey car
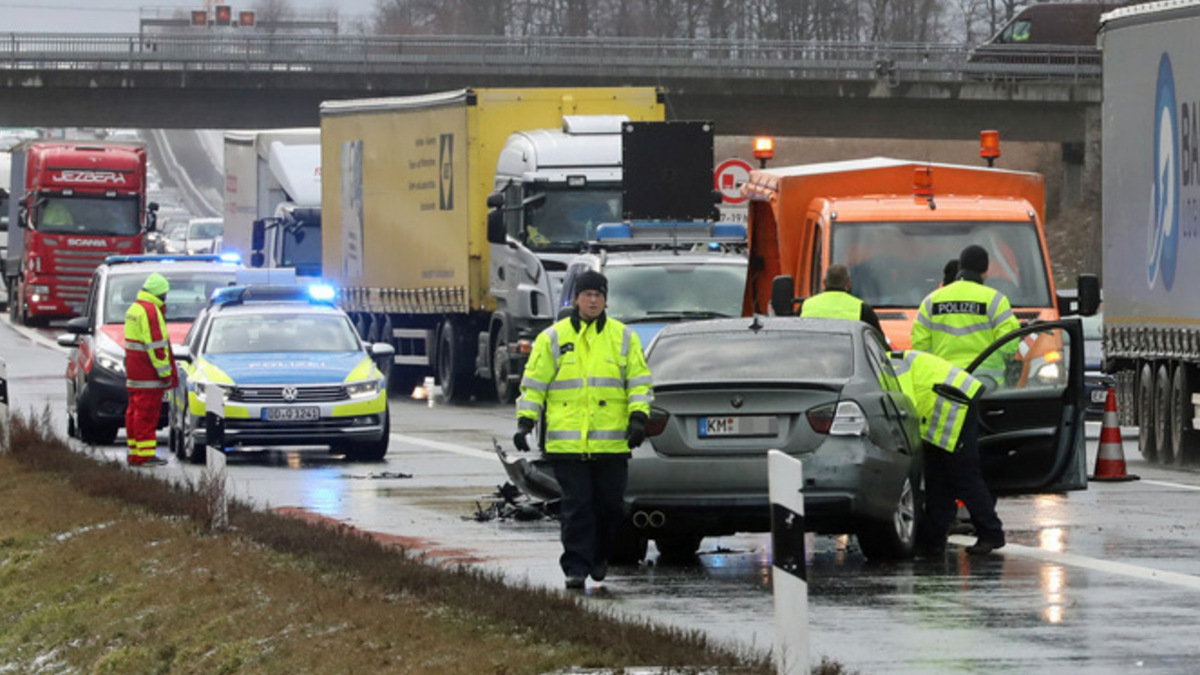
{"points": [[675, 291]]}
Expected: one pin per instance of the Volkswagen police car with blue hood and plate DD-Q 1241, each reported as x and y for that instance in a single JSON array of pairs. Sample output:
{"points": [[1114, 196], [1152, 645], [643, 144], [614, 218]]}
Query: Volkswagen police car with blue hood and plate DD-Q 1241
{"points": [[293, 372]]}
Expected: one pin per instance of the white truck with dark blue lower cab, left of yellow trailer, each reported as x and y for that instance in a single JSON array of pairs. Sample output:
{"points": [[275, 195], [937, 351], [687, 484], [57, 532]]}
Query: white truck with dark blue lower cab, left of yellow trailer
{"points": [[273, 178]]}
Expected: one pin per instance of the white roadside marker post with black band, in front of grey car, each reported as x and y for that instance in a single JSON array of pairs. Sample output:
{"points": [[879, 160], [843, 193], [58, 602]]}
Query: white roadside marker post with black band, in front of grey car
{"points": [[789, 574]]}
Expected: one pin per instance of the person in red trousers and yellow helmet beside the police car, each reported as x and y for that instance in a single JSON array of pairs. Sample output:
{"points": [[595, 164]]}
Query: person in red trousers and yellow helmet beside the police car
{"points": [[149, 369]]}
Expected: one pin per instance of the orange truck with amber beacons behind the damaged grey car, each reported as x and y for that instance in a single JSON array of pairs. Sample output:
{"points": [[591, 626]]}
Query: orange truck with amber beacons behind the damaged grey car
{"points": [[896, 224]]}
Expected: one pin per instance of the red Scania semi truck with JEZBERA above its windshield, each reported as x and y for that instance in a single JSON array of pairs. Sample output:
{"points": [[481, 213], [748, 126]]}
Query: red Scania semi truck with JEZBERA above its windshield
{"points": [[73, 206]]}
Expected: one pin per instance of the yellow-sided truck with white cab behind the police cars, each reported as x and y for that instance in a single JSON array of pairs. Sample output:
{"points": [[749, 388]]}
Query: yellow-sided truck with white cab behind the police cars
{"points": [[407, 192]]}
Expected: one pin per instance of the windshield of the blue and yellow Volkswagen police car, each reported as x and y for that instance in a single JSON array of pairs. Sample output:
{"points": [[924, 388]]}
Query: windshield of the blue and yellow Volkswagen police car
{"points": [[245, 334]]}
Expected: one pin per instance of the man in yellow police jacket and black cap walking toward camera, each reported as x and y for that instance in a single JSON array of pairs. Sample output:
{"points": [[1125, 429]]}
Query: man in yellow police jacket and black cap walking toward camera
{"points": [[589, 381]]}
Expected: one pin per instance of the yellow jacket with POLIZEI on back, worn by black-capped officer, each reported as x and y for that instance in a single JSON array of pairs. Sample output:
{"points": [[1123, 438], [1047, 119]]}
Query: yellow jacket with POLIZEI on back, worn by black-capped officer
{"points": [[958, 322]]}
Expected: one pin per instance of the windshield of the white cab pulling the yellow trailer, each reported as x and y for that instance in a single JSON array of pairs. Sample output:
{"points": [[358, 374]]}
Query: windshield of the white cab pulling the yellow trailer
{"points": [[565, 219]]}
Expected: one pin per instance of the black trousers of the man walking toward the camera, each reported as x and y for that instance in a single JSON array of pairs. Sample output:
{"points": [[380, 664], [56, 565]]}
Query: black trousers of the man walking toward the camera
{"points": [[593, 509]]}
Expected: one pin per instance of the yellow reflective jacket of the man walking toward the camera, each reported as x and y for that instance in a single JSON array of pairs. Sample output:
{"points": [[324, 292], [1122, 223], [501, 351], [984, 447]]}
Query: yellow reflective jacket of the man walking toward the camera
{"points": [[587, 379]]}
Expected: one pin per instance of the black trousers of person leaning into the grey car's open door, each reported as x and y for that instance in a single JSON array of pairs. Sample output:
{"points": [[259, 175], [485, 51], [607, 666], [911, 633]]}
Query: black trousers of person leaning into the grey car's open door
{"points": [[958, 475]]}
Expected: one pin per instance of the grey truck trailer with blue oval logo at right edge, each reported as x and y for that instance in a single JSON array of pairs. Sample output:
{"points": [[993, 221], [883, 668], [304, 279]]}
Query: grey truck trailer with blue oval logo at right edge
{"points": [[1151, 220]]}
